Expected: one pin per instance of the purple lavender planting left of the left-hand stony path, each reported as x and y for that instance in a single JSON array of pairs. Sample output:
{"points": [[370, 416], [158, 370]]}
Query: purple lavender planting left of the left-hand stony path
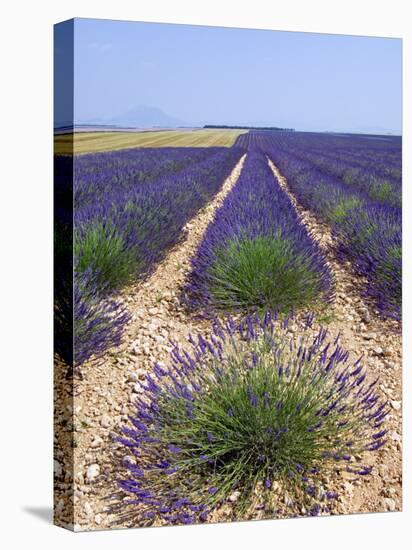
{"points": [[123, 225]]}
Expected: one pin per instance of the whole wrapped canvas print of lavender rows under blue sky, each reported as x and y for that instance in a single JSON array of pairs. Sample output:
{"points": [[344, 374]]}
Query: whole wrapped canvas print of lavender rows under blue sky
{"points": [[228, 311]]}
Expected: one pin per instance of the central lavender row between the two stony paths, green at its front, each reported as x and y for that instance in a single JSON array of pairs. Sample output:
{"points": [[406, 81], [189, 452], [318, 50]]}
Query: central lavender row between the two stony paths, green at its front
{"points": [[256, 254]]}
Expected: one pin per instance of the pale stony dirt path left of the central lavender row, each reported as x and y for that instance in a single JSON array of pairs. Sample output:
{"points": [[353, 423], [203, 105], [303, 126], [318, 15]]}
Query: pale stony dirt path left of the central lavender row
{"points": [[104, 398]]}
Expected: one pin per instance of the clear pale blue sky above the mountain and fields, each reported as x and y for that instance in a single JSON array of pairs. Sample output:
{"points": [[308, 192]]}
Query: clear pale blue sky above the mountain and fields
{"points": [[238, 76]]}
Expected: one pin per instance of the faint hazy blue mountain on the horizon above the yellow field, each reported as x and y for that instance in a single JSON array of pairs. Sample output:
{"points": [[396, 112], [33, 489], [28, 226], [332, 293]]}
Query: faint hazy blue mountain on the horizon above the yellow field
{"points": [[144, 116]]}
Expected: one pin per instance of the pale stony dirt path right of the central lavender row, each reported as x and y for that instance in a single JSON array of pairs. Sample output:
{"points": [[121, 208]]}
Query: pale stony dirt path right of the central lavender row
{"points": [[363, 332]]}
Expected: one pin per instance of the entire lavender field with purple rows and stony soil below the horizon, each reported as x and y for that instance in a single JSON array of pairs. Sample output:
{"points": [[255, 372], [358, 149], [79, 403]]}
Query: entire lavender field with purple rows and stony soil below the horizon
{"points": [[232, 328]]}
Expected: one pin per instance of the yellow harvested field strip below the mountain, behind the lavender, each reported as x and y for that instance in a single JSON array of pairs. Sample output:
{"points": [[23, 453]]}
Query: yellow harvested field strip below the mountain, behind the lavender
{"points": [[93, 142]]}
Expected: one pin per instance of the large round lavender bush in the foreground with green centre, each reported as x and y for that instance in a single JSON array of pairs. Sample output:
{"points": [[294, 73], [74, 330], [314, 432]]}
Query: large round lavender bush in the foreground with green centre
{"points": [[251, 412]]}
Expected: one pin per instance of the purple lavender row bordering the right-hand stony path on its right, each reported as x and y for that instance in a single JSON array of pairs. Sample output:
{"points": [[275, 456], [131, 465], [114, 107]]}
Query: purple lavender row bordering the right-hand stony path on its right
{"points": [[369, 232]]}
